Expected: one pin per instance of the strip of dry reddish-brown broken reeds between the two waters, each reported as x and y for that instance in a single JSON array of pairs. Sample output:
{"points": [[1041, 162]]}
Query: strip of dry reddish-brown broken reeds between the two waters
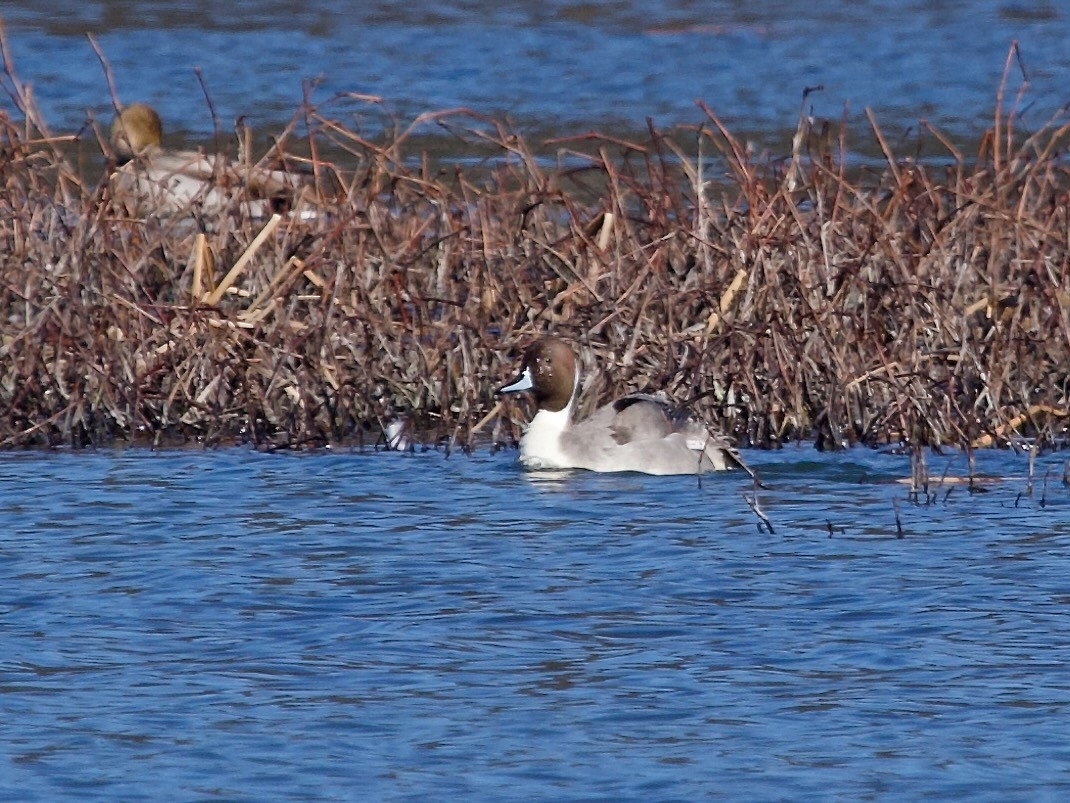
{"points": [[919, 304]]}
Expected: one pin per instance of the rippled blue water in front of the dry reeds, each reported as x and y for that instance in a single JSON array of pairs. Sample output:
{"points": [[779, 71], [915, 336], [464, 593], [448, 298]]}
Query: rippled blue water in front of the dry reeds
{"points": [[230, 625]]}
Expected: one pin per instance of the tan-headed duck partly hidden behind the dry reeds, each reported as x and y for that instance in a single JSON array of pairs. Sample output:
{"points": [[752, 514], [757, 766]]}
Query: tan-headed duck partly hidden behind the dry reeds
{"points": [[152, 180]]}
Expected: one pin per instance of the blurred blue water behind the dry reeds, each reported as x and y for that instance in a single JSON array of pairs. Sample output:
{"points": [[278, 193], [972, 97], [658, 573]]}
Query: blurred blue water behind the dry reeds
{"points": [[555, 67]]}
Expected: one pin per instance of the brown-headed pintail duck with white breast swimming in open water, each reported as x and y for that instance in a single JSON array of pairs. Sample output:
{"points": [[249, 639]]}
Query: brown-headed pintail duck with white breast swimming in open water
{"points": [[638, 433]]}
